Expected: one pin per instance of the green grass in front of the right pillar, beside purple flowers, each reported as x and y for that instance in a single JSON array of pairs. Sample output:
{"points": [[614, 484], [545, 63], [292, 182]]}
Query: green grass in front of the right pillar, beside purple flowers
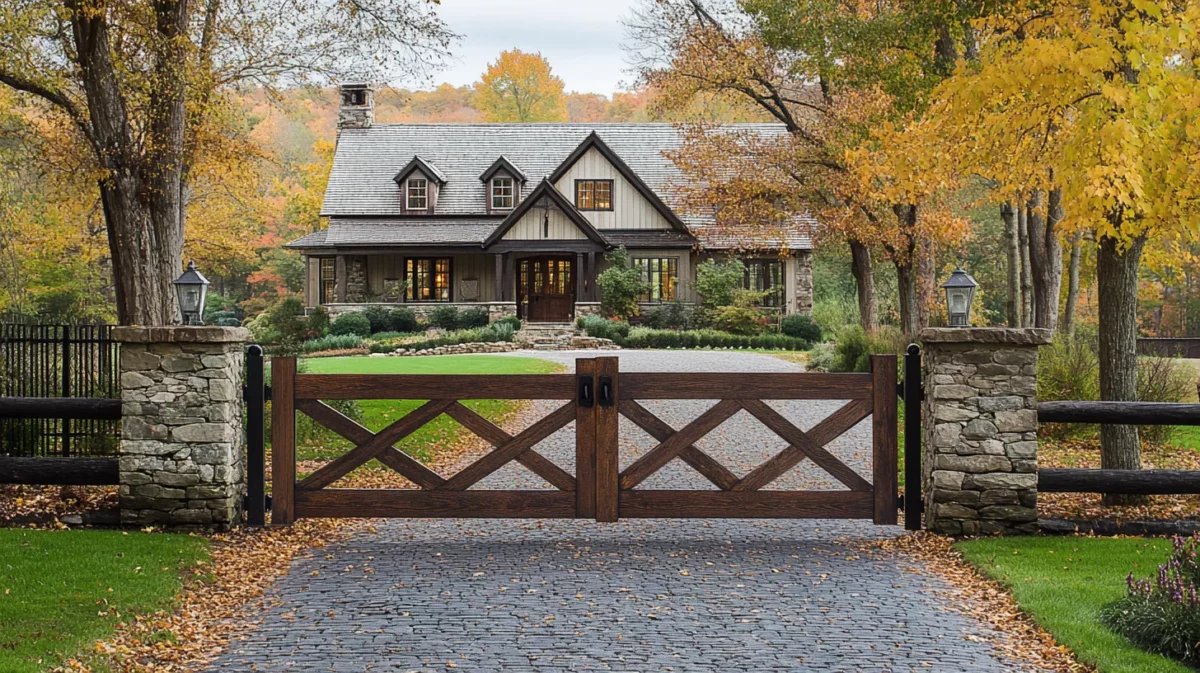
{"points": [[1065, 582]]}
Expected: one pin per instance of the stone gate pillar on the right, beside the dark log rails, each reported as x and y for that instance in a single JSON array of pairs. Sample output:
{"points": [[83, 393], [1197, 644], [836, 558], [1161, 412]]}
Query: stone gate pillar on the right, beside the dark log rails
{"points": [[981, 448]]}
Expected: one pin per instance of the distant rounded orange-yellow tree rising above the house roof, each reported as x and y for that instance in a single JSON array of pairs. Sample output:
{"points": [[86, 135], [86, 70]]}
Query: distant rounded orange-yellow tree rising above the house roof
{"points": [[521, 87]]}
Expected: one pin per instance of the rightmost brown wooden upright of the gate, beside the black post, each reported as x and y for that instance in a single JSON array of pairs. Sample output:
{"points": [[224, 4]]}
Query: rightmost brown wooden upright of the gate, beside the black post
{"points": [[884, 438]]}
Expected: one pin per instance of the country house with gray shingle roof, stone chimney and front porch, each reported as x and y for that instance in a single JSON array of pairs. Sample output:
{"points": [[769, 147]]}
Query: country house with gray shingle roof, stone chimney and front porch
{"points": [[518, 219]]}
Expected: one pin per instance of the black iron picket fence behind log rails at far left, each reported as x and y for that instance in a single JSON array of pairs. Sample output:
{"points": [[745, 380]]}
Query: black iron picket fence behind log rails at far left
{"points": [[47, 362]]}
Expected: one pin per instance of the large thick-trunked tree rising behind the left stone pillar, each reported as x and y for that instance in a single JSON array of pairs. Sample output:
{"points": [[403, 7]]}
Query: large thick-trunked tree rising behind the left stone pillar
{"points": [[137, 80]]}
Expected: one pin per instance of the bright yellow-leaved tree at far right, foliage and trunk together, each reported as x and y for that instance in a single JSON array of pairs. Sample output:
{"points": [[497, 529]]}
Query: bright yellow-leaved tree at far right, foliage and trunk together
{"points": [[1105, 97]]}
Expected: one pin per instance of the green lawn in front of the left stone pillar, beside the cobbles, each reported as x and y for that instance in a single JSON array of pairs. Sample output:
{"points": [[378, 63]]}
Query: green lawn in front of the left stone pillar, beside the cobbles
{"points": [[57, 588]]}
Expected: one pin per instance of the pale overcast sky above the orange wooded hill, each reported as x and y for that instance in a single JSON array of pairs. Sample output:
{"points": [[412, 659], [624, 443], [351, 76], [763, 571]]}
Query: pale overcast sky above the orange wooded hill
{"points": [[581, 39]]}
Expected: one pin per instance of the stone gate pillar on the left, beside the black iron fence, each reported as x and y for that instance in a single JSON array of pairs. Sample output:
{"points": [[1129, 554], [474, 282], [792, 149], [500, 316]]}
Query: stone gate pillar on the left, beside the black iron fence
{"points": [[183, 442]]}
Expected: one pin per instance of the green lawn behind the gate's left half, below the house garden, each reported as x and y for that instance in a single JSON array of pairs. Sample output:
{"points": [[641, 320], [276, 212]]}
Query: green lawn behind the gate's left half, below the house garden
{"points": [[379, 414]]}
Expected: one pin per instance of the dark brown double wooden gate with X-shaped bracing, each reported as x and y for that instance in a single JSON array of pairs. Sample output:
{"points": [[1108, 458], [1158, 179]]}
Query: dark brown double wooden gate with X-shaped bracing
{"points": [[595, 398]]}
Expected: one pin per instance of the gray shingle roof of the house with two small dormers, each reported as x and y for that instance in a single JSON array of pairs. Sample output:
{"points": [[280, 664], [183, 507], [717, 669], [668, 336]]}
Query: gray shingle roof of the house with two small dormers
{"points": [[361, 183]]}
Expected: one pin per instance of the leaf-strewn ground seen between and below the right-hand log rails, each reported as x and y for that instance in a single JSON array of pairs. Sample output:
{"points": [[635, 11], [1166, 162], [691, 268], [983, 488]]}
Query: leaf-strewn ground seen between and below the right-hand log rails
{"points": [[1087, 454]]}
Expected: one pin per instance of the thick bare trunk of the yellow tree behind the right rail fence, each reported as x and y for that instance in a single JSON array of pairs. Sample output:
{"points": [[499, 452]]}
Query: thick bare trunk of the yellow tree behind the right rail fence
{"points": [[1118, 285]]}
